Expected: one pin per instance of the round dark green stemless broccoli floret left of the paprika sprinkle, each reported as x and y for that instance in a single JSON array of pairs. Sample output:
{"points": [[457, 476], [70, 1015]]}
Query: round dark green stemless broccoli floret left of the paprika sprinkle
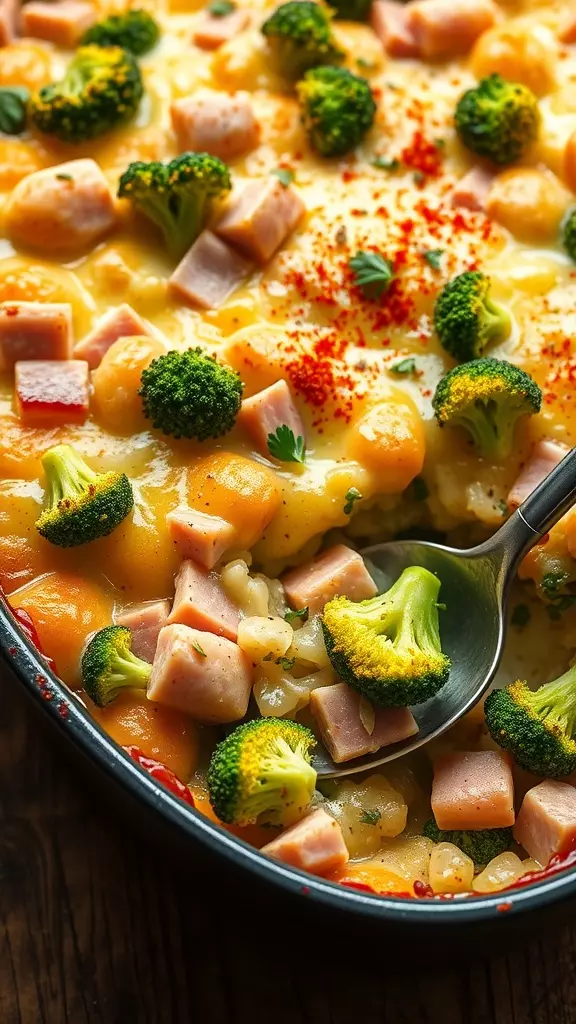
{"points": [[189, 395]]}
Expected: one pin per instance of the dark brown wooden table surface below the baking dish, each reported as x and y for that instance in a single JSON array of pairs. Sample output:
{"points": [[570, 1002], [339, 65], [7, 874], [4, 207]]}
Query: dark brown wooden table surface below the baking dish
{"points": [[96, 929]]}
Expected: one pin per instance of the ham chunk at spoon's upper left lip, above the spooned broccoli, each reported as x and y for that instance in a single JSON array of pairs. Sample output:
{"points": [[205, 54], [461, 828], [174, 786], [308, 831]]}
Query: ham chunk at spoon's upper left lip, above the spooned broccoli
{"points": [[340, 572]]}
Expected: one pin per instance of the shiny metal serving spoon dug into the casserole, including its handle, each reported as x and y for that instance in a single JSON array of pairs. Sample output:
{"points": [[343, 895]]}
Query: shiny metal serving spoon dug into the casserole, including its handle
{"points": [[475, 587]]}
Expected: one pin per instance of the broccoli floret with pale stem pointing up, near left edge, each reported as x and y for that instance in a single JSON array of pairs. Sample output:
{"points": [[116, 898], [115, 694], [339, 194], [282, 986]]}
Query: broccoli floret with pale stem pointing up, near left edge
{"points": [[80, 505]]}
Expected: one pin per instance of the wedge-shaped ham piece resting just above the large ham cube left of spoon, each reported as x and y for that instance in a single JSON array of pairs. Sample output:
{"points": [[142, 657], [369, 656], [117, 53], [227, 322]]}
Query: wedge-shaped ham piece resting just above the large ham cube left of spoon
{"points": [[200, 602]]}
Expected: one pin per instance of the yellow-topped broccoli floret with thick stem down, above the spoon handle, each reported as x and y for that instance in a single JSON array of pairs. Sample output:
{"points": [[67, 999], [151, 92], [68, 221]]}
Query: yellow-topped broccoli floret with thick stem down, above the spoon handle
{"points": [[486, 398]]}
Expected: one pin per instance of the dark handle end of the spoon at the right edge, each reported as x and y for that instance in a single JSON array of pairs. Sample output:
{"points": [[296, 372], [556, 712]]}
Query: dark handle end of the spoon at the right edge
{"points": [[542, 510]]}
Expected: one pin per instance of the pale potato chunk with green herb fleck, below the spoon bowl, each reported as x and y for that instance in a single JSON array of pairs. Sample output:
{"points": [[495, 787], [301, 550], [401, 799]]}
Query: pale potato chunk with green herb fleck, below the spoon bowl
{"points": [[369, 813]]}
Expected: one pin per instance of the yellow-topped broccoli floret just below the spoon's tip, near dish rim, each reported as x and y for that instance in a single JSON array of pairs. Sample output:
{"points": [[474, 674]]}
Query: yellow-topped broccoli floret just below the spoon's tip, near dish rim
{"points": [[262, 773]]}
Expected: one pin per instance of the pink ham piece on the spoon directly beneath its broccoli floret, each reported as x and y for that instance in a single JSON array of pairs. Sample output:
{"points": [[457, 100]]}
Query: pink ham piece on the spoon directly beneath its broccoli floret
{"points": [[338, 714]]}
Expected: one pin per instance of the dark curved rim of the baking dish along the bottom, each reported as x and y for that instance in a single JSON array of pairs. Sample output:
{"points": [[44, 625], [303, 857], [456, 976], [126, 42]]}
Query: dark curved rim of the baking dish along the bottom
{"points": [[75, 721]]}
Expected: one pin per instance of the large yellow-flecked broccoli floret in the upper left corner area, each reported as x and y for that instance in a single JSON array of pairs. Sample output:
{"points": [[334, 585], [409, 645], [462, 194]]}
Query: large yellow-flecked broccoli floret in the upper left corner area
{"points": [[102, 89]]}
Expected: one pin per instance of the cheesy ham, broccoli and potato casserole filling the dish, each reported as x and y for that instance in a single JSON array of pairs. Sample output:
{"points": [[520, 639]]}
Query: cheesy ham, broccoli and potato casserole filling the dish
{"points": [[278, 283]]}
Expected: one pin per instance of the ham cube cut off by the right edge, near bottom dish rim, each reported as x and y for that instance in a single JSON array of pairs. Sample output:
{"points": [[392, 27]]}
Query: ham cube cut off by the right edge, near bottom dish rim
{"points": [[547, 821]]}
